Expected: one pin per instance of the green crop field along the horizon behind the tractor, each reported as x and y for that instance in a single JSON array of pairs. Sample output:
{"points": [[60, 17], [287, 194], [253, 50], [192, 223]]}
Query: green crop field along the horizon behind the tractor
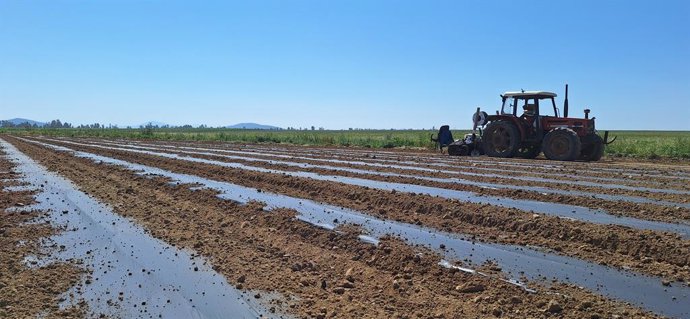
{"points": [[642, 144]]}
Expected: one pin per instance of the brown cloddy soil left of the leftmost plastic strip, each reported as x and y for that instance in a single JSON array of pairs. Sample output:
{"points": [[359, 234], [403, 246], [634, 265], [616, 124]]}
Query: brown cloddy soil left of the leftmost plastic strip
{"points": [[27, 290]]}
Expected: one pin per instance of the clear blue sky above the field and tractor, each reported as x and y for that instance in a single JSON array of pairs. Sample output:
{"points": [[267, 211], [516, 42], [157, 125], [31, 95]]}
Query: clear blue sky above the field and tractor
{"points": [[341, 64]]}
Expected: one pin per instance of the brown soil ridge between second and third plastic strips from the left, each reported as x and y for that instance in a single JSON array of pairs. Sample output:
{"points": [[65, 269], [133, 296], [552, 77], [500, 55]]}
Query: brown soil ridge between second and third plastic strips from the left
{"points": [[650, 252]]}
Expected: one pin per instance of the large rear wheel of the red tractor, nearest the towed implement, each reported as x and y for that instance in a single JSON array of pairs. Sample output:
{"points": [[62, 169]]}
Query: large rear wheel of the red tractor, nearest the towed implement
{"points": [[501, 139]]}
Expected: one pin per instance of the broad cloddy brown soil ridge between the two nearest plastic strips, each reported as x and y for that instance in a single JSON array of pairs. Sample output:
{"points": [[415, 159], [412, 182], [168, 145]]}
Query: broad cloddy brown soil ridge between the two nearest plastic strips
{"points": [[329, 274]]}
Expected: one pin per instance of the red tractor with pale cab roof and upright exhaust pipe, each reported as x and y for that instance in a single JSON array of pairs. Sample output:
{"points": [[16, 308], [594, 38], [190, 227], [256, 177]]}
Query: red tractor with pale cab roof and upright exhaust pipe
{"points": [[530, 132]]}
